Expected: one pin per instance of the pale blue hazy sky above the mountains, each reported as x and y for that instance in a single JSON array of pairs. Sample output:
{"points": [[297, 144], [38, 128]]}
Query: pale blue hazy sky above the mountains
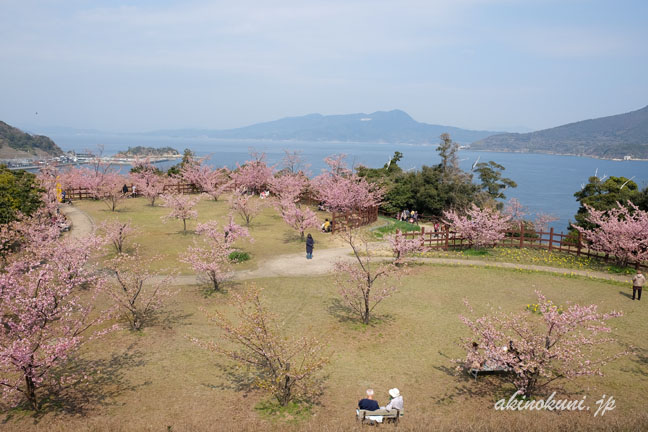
{"points": [[479, 64]]}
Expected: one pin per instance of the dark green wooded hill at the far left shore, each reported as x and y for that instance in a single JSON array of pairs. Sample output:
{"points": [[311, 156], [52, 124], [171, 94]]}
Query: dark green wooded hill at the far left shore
{"points": [[15, 143]]}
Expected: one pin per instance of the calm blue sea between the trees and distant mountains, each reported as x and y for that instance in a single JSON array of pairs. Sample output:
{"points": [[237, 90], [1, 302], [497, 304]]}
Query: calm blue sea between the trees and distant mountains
{"points": [[546, 183]]}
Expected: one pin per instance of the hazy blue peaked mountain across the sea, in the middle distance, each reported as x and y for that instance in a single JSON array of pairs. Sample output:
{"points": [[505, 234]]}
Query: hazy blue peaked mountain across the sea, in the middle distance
{"points": [[382, 126]]}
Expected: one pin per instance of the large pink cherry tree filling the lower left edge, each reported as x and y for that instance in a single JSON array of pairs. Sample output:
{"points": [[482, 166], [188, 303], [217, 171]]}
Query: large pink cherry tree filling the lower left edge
{"points": [[47, 293]]}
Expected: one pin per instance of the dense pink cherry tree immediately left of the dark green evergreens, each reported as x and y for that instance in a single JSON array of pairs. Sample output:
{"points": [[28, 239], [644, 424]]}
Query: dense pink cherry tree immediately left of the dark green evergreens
{"points": [[343, 191]]}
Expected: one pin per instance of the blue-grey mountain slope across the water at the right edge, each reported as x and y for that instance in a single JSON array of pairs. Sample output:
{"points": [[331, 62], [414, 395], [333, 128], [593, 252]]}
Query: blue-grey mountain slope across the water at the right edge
{"points": [[611, 137]]}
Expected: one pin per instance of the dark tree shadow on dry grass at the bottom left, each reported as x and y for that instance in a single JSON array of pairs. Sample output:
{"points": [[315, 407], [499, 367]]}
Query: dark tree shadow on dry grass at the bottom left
{"points": [[83, 384]]}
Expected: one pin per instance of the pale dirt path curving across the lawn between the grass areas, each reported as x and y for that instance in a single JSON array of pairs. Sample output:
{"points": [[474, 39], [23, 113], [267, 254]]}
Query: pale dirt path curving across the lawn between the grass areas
{"points": [[323, 261]]}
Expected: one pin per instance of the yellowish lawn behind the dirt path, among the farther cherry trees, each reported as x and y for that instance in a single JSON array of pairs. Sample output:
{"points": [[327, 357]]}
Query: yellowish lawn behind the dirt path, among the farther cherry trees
{"points": [[271, 235]]}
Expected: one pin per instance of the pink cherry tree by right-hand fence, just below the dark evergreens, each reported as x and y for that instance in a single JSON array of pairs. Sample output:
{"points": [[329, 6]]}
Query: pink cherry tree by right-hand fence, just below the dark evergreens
{"points": [[481, 227]]}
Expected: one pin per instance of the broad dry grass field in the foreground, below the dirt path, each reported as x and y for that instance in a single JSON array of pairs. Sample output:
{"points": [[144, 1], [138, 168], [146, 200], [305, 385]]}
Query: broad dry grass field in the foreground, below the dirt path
{"points": [[159, 381]]}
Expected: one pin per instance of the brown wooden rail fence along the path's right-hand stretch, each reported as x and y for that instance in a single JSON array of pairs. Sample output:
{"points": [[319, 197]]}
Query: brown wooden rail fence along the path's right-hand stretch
{"points": [[446, 239]]}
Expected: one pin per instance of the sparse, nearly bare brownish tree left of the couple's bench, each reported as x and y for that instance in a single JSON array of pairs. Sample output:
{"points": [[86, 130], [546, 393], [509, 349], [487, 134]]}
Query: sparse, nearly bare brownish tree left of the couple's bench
{"points": [[284, 365]]}
